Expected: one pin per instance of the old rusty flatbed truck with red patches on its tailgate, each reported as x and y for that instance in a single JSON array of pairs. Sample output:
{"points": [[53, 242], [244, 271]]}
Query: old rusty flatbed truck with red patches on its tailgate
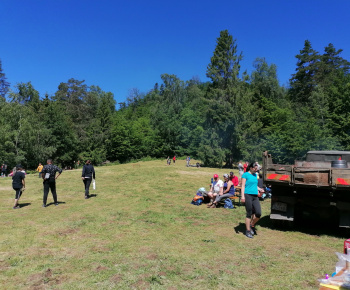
{"points": [[317, 188]]}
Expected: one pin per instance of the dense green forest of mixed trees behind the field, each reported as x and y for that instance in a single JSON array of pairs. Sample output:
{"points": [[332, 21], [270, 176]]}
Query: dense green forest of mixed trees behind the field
{"points": [[234, 116]]}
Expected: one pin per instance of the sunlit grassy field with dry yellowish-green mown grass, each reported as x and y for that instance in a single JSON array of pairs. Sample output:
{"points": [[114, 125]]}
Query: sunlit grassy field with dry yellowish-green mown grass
{"points": [[141, 232]]}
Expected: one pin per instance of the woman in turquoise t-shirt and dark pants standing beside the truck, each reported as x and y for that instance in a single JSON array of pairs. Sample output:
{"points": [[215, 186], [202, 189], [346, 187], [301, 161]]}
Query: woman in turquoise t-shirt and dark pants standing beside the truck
{"points": [[249, 194]]}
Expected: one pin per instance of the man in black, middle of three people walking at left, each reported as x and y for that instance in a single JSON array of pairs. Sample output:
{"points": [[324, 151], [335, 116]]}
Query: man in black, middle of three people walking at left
{"points": [[49, 176]]}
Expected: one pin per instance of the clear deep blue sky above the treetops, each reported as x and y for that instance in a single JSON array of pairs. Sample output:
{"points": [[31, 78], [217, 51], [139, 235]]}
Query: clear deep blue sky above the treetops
{"points": [[121, 45]]}
